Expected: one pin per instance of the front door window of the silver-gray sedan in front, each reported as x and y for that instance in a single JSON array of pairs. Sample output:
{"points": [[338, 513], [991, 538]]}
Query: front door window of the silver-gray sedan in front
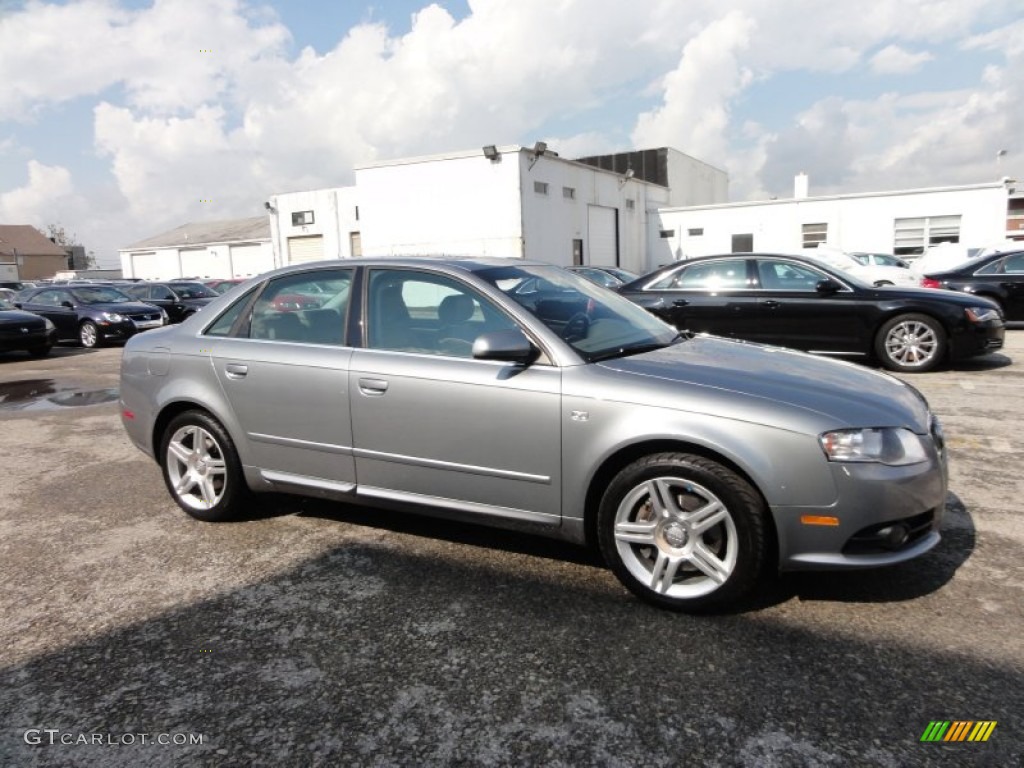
{"points": [[413, 312]]}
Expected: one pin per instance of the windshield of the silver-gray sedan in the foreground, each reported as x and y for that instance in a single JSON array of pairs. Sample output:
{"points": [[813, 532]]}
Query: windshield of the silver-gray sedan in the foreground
{"points": [[595, 322]]}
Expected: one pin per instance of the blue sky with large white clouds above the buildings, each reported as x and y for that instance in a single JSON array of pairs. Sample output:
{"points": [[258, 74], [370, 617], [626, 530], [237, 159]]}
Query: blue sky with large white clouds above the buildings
{"points": [[120, 120]]}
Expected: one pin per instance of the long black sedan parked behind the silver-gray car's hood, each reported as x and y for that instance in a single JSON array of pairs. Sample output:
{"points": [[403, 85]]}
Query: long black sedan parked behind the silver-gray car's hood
{"points": [[794, 303]]}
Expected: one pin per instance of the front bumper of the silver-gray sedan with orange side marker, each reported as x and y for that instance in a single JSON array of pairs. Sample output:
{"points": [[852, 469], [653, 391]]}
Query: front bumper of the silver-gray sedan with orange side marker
{"points": [[883, 516]]}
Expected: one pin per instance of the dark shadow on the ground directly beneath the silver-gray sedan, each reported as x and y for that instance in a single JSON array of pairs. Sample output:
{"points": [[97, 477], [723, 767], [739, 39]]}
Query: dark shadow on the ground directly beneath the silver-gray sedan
{"points": [[908, 581]]}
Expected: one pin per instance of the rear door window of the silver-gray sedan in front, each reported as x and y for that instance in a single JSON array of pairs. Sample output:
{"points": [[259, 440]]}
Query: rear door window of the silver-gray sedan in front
{"points": [[309, 308]]}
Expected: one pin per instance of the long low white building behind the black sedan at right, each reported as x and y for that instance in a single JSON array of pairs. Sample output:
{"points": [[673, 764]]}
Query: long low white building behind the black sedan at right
{"points": [[904, 223]]}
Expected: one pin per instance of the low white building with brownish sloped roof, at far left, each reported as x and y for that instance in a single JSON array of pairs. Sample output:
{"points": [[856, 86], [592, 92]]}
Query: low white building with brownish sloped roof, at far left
{"points": [[238, 248]]}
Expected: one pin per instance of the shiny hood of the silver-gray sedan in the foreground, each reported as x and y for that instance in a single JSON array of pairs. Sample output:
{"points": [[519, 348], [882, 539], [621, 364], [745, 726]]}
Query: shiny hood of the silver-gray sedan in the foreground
{"points": [[774, 385]]}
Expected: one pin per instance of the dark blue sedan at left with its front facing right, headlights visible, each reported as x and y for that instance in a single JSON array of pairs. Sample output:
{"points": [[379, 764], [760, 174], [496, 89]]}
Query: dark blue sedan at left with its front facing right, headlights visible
{"points": [[92, 315]]}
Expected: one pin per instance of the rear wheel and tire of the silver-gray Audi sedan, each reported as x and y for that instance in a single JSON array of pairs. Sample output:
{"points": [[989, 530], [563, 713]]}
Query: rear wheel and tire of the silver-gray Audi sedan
{"points": [[202, 470]]}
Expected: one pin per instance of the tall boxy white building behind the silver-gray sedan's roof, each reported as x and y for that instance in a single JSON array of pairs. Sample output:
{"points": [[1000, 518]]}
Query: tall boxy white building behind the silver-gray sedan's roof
{"points": [[499, 201]]}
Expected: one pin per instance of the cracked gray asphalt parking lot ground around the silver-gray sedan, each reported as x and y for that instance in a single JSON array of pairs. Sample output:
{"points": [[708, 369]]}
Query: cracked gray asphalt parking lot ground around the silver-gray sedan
{"points": [[319, 634]]}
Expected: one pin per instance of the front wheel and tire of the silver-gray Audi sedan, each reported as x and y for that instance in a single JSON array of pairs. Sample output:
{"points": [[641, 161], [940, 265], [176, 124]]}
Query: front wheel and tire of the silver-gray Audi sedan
{"points": [[706, 548]]}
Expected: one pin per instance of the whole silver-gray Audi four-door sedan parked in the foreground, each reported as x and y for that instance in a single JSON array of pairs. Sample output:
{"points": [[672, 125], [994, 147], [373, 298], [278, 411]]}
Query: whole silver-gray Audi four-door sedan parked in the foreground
{"points": [[694, 464]]}
